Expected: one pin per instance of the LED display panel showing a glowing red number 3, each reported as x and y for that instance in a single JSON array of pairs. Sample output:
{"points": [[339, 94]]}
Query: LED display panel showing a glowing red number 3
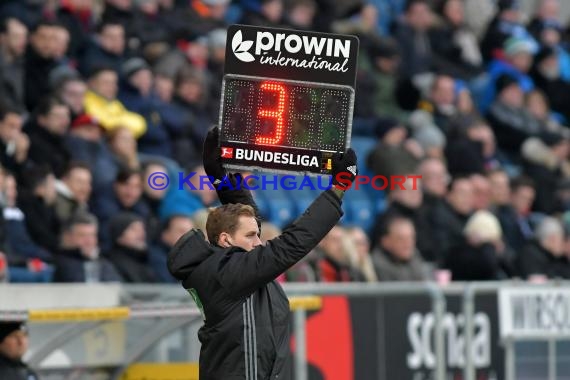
{"points": [[278, 113]]}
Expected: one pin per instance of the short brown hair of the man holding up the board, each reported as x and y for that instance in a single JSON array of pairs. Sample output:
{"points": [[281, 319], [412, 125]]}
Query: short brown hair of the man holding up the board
{"points": [[225, 218]]}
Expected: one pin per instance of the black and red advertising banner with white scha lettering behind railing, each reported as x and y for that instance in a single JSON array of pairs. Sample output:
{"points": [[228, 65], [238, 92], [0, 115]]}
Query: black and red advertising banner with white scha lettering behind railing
{"points": [[392, 337]]}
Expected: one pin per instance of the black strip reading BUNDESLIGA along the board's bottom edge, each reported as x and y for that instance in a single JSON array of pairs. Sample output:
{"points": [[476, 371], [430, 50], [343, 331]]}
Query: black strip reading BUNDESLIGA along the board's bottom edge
{"points": [[253, 157]]}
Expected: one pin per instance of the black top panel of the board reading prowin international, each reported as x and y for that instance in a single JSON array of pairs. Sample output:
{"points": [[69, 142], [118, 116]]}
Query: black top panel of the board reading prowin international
{"points": [[292, 54]]}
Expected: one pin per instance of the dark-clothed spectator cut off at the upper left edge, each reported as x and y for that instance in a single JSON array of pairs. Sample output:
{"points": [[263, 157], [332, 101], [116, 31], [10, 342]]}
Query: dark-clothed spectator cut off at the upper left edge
{"points": [[13, 41]]}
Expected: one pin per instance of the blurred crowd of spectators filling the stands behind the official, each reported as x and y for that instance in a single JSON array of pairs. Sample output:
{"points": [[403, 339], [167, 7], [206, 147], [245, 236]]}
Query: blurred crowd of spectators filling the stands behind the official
{"points": [[96, 95]]}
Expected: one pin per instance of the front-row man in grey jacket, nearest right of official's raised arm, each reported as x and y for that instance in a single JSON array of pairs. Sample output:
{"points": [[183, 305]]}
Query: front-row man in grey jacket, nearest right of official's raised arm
{"points": [[396, 257]]}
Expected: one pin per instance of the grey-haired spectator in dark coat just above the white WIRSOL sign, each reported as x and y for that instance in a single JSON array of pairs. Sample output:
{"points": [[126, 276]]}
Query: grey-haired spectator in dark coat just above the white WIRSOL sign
{"points": [[544, 255]]}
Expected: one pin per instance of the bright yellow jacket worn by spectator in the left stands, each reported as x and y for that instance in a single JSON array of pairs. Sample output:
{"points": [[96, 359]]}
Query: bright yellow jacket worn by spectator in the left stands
{"points": [[113, 114]]}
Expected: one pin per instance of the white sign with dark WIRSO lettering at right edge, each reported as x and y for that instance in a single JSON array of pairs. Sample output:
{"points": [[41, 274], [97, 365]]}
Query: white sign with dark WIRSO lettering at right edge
{"points": [[534, 312]]}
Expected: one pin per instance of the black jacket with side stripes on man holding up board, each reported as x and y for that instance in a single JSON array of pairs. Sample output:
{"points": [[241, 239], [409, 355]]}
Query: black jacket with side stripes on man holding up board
{"points": [[246, 329]]}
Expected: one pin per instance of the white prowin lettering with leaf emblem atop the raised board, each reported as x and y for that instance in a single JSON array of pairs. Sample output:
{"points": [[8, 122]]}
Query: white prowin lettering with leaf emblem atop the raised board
{"points": [[310, 52]]}
